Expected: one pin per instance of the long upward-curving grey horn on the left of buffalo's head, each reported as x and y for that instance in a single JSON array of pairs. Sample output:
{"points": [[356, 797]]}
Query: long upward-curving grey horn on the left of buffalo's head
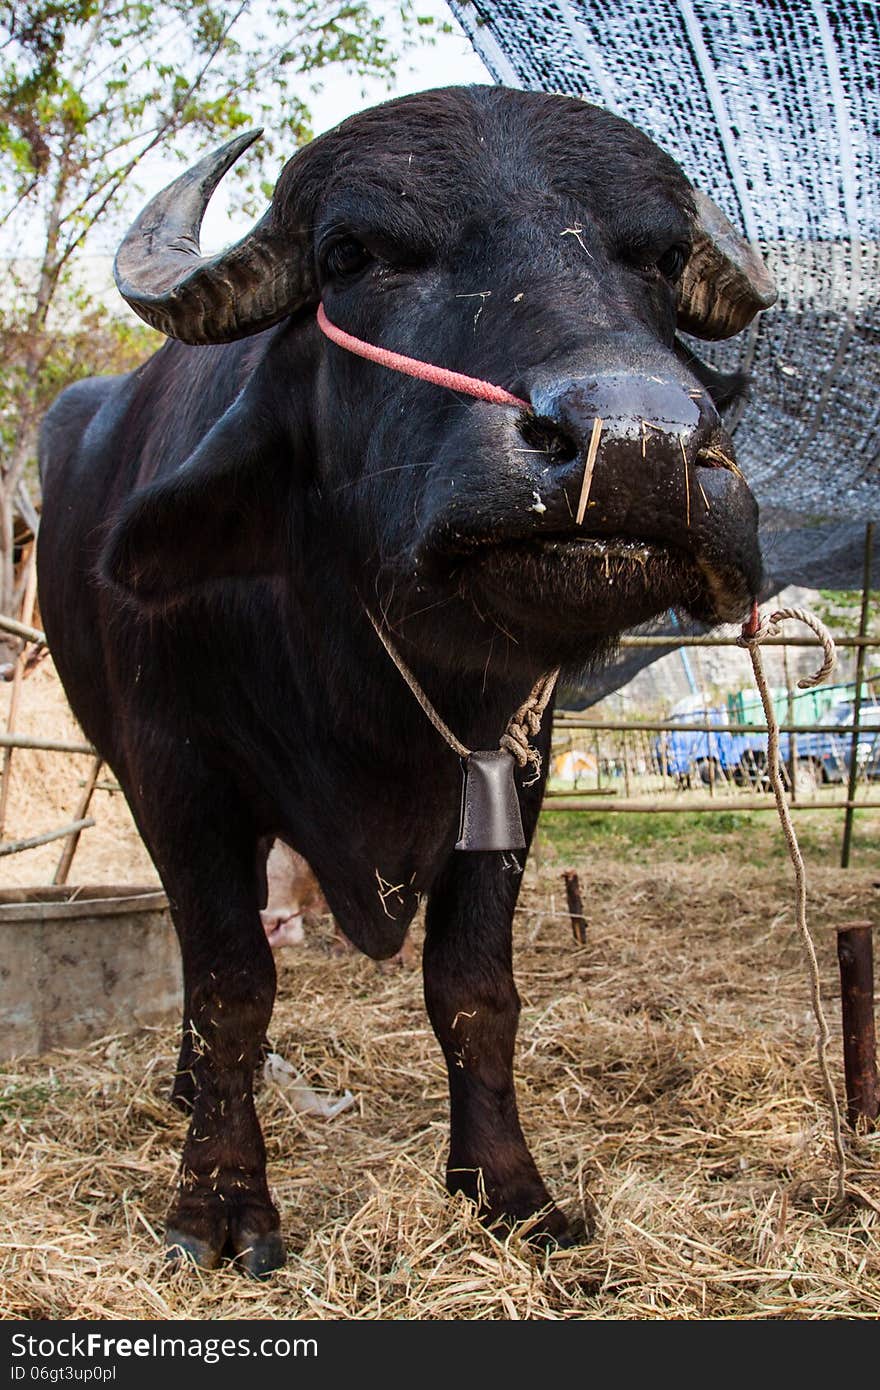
{"points": [[208, 300]]}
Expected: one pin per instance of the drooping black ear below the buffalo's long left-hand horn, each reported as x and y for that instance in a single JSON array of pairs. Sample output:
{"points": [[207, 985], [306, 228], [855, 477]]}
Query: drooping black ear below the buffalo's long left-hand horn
{"points": [[222, 515]]}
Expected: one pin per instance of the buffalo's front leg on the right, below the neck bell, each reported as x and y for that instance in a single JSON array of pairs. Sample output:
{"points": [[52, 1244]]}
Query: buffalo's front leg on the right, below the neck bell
{"points": [[475, 1010]]}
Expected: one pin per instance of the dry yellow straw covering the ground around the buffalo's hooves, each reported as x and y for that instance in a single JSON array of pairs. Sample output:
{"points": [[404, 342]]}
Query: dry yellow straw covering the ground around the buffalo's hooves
{"points": [[668, 1089]]}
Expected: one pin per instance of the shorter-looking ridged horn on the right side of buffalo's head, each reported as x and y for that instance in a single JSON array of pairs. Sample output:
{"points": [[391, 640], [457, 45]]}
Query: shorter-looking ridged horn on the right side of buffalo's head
{"points": [[725, 283]]}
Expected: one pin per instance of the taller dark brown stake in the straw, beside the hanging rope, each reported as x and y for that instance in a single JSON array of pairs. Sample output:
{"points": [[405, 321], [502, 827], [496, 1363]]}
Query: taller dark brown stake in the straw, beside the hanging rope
{"points": [[857, 993]]}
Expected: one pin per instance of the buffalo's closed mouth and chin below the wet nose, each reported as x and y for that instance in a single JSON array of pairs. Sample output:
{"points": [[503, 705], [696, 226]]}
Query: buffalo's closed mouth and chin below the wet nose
{"points": [[598, 583]]}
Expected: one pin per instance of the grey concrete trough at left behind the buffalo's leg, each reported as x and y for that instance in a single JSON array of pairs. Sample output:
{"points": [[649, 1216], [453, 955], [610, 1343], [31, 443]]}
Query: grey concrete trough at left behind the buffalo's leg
{"points": [[77, 964]]}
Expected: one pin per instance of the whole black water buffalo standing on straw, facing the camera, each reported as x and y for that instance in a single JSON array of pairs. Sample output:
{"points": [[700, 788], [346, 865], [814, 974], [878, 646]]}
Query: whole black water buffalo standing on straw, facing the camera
{"points": [[223, 528]]}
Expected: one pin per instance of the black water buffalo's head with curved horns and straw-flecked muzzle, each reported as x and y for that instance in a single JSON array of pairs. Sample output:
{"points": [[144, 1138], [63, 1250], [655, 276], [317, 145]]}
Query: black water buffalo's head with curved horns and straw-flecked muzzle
{"points": [[529, 240]]}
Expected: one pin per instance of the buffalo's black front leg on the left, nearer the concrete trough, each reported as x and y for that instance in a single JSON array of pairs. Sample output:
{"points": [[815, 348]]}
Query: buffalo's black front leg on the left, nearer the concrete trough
{"points": [[223, 1206]]}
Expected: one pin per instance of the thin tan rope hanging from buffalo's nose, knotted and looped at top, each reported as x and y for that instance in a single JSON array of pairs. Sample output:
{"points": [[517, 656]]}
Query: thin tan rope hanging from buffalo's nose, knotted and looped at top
{"points": [[754, 633]]}
